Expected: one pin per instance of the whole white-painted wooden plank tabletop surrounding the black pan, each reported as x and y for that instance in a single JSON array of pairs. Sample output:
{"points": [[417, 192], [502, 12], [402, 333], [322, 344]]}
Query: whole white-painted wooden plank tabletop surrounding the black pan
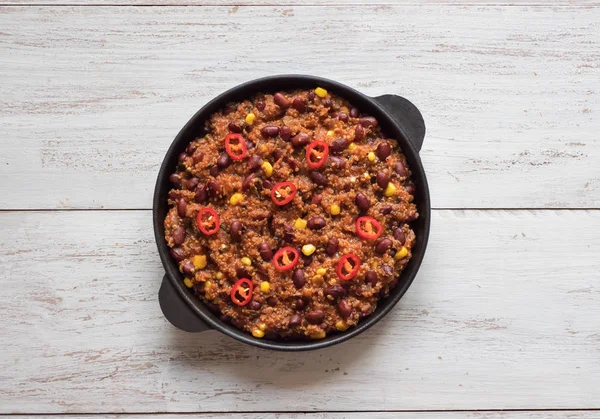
{"points": [[503, 320]]}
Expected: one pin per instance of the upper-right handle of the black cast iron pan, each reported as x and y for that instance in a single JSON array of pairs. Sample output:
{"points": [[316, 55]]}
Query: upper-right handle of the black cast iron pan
{"points": [[406, 115]]}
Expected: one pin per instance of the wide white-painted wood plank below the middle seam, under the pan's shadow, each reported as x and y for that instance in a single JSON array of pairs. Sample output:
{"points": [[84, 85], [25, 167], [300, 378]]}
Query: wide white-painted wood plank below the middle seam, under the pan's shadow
{"points": [[503, 315]]}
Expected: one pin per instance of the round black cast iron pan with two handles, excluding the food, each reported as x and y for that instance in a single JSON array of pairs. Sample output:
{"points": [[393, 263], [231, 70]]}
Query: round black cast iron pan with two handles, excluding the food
{"points": [[399, 119]]}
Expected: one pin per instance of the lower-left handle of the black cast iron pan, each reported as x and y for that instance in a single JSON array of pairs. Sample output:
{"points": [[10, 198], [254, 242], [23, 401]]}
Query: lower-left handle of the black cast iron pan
{"points": [[177, 311]]}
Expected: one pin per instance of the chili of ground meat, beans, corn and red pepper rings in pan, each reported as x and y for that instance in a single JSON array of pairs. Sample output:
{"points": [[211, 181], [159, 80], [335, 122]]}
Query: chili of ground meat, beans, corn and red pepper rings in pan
{"points": [[290, 217]]}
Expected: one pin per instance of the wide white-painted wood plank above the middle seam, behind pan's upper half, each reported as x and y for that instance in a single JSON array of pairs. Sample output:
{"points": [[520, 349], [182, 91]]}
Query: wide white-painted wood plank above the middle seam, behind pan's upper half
{"points": [[92, 96]]}
